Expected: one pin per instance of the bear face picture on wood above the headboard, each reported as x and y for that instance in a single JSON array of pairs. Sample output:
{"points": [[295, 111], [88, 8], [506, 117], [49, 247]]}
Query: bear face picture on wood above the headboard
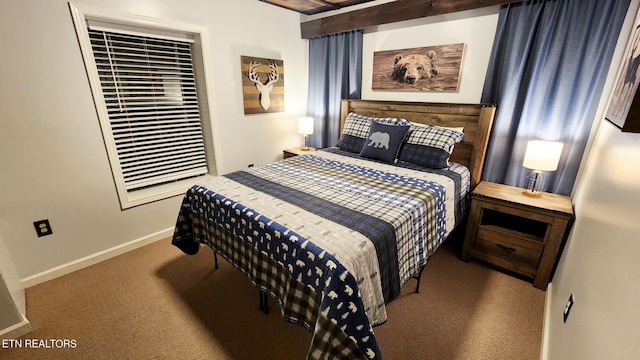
{"points": [[433, 68]]}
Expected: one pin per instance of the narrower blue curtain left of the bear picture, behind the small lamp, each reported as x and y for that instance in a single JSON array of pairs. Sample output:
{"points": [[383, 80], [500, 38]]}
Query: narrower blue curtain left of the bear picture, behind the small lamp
{"points": [[335, 73]]}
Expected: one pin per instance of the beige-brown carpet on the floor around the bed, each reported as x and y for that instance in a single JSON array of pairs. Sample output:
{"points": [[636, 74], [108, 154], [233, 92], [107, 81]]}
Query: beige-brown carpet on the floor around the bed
{"points": [[157, 303]]}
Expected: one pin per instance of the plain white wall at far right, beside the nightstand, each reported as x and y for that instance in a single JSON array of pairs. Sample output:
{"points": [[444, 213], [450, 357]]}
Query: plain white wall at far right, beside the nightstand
{"points": [[599, 265]]}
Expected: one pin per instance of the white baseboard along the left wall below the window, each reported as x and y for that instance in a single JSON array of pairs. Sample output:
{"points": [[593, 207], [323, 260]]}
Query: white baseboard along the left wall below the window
{"points": [[94, 258]]}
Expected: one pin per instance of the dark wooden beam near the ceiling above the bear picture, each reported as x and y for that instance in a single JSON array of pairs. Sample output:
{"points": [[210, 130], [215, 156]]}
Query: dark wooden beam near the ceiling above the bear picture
{"points": [[387, 13]]}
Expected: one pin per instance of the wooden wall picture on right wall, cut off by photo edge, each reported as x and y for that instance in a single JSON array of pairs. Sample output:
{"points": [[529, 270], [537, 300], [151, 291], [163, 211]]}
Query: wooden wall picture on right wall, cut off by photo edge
{"points": [[624, 107]]}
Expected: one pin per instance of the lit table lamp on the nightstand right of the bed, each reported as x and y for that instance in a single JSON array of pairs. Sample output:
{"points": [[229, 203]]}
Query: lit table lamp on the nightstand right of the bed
{"points": [[540, 156]]}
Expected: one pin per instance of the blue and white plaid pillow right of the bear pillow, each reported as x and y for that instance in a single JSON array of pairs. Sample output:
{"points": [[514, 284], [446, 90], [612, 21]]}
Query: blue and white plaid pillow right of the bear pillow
{"points": [[430, 146]]}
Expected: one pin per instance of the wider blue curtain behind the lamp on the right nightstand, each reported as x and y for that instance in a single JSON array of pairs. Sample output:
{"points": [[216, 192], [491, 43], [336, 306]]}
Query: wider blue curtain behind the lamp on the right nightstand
{"points": [[548, 66]]}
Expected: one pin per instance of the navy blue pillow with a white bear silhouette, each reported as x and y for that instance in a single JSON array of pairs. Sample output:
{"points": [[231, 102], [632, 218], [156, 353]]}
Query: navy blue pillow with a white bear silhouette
{"points": [[383, 142]]}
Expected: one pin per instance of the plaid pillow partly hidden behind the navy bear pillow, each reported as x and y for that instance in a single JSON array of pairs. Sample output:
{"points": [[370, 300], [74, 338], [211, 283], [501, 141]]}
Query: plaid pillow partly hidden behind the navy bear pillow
{"points": [[356, 130]]}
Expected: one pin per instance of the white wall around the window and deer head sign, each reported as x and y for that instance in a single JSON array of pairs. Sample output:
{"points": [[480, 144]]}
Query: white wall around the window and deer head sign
{"points": [[52, 156]]}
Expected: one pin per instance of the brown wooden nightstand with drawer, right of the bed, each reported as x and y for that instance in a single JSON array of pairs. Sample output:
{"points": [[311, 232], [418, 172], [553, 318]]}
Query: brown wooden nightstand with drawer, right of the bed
{"points": [[516, 233]]}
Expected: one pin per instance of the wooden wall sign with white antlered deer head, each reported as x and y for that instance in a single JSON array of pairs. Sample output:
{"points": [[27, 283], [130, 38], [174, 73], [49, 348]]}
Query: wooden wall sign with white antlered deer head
{"points": [[262, 85]]}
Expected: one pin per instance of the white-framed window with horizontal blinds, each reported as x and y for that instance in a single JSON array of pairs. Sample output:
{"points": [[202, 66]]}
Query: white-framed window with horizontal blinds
{"points": [[145, 85]]}
